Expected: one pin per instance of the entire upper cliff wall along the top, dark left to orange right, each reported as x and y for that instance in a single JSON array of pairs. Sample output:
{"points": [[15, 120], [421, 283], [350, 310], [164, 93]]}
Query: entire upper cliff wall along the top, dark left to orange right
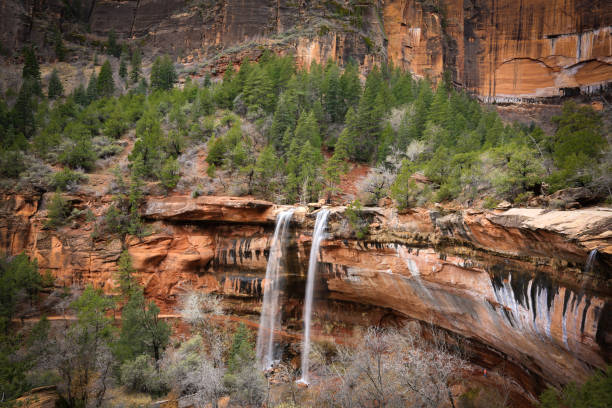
{"points": [[502, 50]]}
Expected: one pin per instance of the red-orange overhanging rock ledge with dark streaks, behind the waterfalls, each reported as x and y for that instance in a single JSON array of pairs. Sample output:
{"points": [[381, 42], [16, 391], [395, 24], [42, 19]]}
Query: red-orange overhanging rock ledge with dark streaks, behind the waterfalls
{"points": [[515, 284]]}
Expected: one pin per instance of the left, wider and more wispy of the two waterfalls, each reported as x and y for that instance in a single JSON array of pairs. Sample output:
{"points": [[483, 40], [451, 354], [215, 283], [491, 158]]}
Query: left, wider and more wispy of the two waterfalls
{"points": [[269, 319]]}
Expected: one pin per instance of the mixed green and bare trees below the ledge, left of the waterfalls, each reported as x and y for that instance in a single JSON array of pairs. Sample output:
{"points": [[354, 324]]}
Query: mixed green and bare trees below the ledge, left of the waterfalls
{"points": [[91, 352]]}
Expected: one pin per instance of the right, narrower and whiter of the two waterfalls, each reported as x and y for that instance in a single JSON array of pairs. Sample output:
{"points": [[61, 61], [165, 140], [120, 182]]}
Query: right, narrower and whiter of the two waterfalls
{"points": [[317, 236]]}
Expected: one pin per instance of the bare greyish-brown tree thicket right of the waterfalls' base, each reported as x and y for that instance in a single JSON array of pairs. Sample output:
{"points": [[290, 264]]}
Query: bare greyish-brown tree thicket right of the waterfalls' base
{"points": [[390, 368]]}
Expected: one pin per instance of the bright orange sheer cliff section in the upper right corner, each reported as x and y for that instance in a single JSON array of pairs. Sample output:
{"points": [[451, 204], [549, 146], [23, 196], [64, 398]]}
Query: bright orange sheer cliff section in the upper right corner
{"points": [[505, 50]]}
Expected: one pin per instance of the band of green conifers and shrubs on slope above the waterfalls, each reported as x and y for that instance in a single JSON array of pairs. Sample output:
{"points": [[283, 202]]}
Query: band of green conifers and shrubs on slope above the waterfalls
{"points": [[269, 127]]}
